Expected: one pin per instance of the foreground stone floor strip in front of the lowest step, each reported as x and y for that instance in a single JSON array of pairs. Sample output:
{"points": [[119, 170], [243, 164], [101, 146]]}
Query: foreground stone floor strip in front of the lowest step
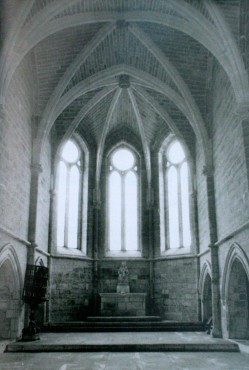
{"points": [[124, 361]]}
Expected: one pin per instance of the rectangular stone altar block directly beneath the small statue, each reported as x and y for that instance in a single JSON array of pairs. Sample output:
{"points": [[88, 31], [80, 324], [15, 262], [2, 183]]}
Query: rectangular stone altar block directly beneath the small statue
{"points": [[116, 304]]}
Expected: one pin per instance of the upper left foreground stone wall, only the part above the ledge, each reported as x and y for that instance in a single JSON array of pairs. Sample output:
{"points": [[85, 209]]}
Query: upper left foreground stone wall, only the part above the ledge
{"points": [[15, 152]]}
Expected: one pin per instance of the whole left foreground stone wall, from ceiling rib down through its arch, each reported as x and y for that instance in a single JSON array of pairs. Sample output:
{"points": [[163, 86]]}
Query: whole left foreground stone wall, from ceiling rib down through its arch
{"points": [[15, 174]]}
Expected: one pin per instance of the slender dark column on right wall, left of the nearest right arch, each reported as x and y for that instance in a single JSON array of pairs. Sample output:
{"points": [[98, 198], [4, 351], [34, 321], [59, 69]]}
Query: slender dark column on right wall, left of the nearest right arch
{"points": [[216, 303]]}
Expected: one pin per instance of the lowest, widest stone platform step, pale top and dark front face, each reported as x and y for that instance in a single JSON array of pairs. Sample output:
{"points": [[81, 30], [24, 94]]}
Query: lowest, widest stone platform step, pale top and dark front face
{"points": [[124, 342]]}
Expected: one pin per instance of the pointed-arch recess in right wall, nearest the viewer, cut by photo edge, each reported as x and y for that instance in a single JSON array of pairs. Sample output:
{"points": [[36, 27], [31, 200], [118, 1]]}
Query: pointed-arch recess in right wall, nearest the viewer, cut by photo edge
{"points": [[238, 302]]}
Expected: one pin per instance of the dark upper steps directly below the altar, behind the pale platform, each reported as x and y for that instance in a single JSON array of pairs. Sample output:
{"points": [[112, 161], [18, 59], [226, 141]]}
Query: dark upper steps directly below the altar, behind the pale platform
{"points": [[124, 324]]}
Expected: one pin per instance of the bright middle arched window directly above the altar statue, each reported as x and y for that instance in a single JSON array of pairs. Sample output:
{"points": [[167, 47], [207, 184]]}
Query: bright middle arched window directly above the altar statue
{"points": [[123, 201]]}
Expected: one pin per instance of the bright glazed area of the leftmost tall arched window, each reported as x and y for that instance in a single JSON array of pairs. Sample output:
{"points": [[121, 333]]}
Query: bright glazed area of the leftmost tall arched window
{"points": [[69, 196]]}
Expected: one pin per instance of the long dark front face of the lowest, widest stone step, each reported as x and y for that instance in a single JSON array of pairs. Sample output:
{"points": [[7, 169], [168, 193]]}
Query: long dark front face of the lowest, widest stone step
{"points": [[124, 347]]}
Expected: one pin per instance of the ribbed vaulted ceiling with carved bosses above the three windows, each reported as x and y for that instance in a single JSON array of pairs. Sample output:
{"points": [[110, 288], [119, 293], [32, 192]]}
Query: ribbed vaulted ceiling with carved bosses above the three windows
{"points": [[106, 66]]}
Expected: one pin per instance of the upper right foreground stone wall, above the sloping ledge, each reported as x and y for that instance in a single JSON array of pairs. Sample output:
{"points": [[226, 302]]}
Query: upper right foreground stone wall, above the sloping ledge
{"points": [[231, 188]]}
